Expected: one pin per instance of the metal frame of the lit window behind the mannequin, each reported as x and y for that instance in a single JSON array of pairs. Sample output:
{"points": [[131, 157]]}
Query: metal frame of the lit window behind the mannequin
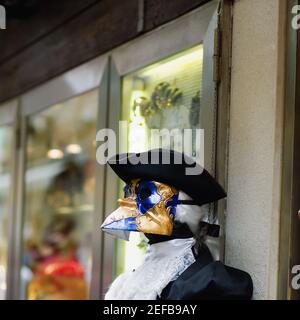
{"points": [[167, 40]]}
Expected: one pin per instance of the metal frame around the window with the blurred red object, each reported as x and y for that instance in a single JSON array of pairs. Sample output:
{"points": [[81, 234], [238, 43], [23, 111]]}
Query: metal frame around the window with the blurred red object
{"points": [[84, 78]]}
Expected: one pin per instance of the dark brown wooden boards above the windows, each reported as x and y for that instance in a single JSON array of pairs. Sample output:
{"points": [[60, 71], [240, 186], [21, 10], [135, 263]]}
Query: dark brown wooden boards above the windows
{"points": [[61, 34]]}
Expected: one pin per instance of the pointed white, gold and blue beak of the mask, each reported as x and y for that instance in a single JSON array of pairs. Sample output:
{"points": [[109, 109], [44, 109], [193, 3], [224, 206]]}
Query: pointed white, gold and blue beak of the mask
{"points": [[123, 220]]}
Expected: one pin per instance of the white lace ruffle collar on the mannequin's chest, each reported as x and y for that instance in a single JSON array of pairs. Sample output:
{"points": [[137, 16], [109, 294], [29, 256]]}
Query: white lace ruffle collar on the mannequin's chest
{"points": [[163, 262]]}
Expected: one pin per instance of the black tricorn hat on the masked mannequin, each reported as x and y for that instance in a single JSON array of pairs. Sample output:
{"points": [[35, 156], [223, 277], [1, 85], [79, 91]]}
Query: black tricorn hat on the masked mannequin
{"points": [[169, 167]]}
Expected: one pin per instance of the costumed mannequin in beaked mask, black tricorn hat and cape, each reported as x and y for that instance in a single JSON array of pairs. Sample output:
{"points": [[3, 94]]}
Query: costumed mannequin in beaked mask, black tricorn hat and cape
{"points": [[166, 204]]}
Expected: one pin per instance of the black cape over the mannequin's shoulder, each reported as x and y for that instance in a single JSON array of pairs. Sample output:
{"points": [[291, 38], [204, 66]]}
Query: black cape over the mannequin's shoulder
{"points": [[206, 279]]}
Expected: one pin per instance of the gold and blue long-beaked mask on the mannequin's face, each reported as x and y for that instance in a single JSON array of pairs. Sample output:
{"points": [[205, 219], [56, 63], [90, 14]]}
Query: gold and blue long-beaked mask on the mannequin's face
{"points": [[148, 207]]}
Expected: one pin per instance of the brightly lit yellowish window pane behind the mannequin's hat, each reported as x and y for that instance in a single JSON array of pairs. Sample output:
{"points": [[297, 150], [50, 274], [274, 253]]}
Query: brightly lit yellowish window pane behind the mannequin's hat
{"points": [[165, 95]]}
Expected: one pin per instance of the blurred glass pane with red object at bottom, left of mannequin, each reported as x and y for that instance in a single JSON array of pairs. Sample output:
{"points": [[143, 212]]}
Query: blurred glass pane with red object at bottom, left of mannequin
{"points": [[59, 200]]}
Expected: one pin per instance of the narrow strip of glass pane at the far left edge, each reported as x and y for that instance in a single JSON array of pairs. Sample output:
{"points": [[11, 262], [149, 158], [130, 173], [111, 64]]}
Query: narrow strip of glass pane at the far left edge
{"points": [[6, 139]]}
